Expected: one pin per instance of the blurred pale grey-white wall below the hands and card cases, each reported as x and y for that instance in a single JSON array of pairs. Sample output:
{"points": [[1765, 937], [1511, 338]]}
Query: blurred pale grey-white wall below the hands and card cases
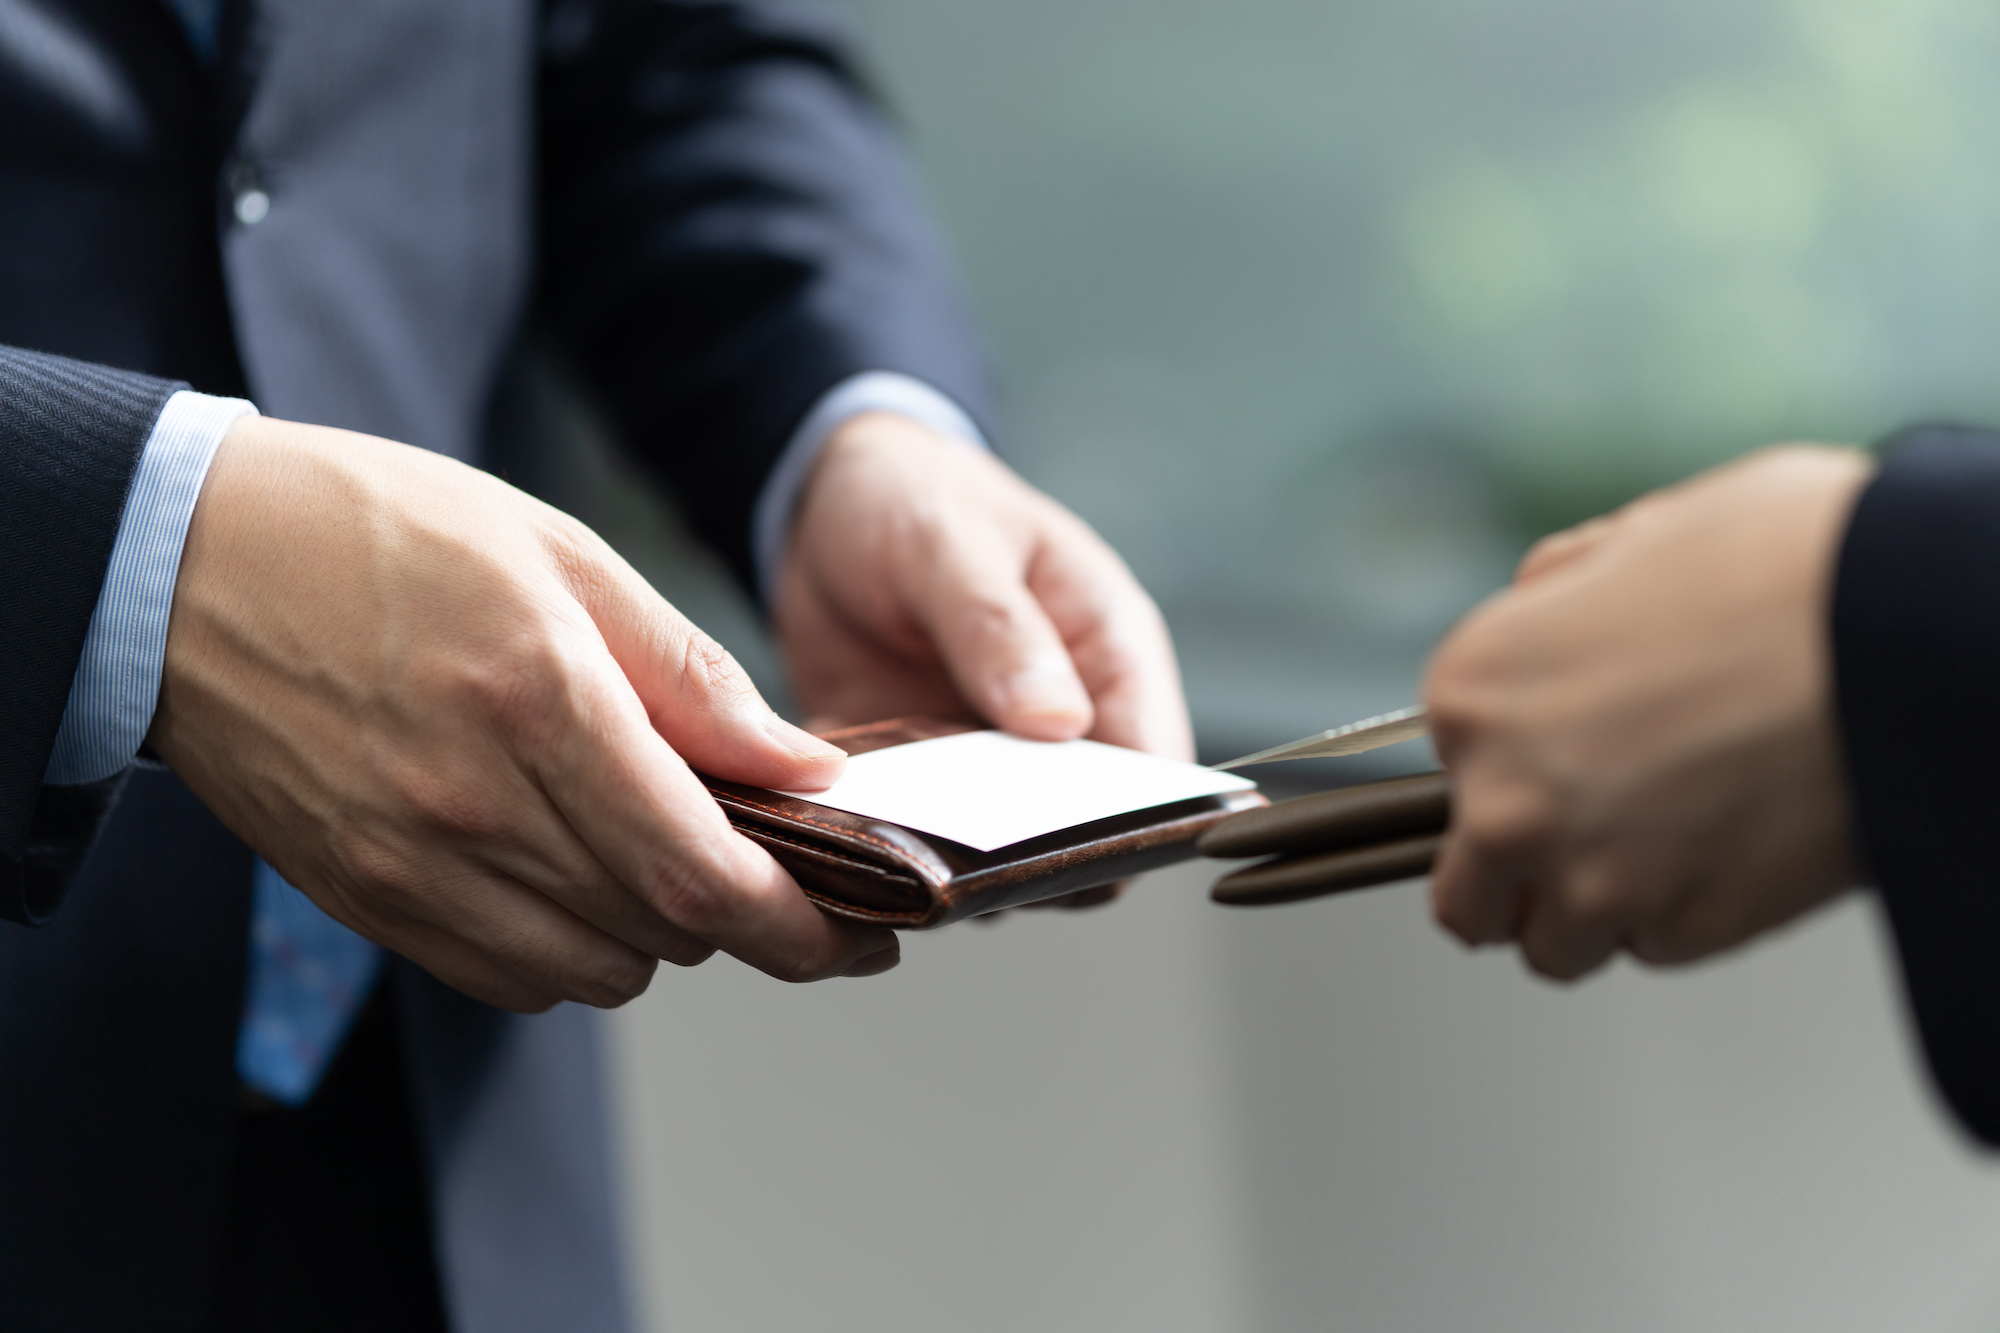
{"points": [[1167, 1116]]}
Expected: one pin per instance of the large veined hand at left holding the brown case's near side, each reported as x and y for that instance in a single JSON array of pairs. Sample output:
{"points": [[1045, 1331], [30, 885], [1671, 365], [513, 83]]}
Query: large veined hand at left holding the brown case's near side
{"points": [[463, 726]]}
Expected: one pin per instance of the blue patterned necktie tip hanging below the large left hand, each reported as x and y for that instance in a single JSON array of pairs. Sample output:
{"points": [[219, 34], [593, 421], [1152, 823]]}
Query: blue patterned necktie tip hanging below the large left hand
{"points": [[309, 978]]}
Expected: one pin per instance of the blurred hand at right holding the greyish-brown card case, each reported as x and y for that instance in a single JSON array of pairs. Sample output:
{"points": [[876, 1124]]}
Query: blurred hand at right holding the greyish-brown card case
{"points": [[1641, 734]]}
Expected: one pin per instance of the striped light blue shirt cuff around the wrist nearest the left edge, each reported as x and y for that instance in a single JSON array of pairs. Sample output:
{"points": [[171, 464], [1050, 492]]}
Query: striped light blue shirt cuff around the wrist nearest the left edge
{"points": [[125, 651]]}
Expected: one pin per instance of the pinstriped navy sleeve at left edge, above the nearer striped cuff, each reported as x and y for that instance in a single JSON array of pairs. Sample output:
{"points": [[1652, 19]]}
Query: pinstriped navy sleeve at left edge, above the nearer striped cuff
{"points": [[71, 437]]}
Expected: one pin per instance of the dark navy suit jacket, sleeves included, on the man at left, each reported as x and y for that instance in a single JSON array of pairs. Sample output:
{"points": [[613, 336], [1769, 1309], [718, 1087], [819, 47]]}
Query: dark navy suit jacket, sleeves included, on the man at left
{"points": [[703, 207]]}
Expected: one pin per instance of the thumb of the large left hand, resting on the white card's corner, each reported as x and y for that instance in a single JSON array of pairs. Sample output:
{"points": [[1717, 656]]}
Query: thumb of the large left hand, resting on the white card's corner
{"points": [[695, 694]]}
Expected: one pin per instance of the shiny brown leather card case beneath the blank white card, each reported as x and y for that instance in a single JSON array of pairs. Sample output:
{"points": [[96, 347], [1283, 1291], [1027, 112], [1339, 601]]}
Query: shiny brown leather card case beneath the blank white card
{"points": [[867, 870]]}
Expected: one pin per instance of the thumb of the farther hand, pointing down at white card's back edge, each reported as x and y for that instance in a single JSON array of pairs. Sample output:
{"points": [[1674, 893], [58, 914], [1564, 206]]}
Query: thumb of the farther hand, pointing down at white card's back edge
{"points": [[1003, 651]]}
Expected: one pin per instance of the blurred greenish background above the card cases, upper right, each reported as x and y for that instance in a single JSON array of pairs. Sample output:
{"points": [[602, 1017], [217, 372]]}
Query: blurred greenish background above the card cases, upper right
{"points": [[1323, 309]]}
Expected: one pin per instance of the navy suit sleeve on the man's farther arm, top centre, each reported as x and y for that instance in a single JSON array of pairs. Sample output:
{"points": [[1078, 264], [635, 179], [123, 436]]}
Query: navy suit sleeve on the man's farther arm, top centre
{"points": [[731, 229]]}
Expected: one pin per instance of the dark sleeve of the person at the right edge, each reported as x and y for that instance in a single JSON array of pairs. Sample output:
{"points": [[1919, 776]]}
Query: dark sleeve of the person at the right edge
{"points": [[1917, 663]]}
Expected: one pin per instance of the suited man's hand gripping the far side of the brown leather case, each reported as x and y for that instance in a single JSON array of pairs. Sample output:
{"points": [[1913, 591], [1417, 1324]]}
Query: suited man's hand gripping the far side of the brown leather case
{"points": [[929, 579]]}
